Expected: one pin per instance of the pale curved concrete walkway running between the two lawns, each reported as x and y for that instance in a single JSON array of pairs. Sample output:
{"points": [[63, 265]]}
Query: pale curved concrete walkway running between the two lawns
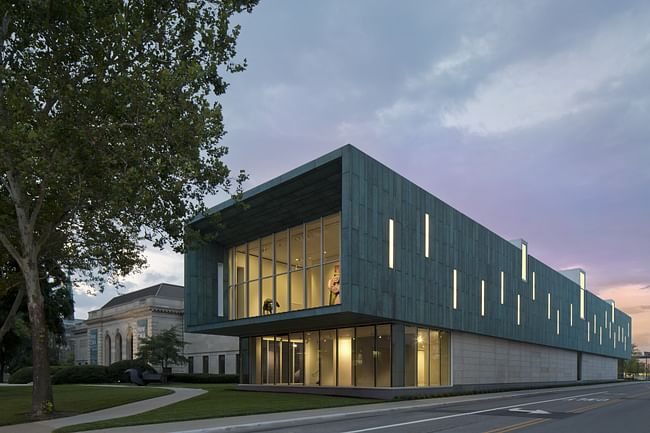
{"points": [[47, 426]]}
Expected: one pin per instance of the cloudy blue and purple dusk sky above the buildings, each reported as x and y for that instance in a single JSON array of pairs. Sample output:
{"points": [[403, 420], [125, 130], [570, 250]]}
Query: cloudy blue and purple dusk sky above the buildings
{"points": [[532, 117]]}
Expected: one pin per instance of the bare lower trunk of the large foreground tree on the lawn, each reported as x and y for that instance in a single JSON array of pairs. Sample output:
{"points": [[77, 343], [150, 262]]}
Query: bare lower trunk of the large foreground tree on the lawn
{"points": [[42, 400]]}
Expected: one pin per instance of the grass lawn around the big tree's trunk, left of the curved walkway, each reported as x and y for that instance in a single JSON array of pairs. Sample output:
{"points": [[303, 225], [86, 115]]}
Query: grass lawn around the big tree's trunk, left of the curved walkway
{"points": [[16, 401]]}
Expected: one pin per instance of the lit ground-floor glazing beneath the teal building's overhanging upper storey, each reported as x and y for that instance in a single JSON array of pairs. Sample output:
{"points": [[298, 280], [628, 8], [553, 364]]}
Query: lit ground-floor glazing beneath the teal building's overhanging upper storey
{"points": [[358, 356]]}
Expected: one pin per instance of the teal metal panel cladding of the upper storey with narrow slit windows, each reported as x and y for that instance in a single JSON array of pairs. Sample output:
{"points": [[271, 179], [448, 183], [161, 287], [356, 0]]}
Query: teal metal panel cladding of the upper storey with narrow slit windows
{"points": [[418, 290]]}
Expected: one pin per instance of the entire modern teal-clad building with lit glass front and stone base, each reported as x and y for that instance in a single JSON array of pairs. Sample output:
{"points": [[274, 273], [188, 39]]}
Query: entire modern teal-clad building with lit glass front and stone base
{"points": [[341, 275]]}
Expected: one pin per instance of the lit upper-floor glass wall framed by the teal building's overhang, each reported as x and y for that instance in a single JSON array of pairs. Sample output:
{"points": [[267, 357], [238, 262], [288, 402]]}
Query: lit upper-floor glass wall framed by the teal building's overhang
{"points": [[290, 270]]}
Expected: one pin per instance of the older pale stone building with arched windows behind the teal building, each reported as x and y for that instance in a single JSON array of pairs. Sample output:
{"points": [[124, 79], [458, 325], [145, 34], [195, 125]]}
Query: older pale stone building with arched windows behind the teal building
{"points": [[112, 333]]}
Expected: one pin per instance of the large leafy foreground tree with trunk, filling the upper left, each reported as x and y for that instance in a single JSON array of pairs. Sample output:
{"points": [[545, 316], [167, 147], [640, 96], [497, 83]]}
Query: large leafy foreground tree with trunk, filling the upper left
{"points": [[110, 131]]}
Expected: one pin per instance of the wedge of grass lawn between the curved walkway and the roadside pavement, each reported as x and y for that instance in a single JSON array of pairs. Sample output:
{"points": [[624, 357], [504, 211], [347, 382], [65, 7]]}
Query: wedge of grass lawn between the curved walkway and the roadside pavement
{"points": [[223, 400]]}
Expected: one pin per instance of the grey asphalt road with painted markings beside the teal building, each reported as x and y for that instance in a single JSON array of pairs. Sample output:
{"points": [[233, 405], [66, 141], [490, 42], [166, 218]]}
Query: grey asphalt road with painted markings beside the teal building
{"points": [[610, 408]]}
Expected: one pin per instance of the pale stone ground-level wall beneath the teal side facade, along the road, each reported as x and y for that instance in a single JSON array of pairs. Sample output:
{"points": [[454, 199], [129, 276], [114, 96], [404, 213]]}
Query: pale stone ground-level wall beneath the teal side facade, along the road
{"points": [[479, 360]]}
